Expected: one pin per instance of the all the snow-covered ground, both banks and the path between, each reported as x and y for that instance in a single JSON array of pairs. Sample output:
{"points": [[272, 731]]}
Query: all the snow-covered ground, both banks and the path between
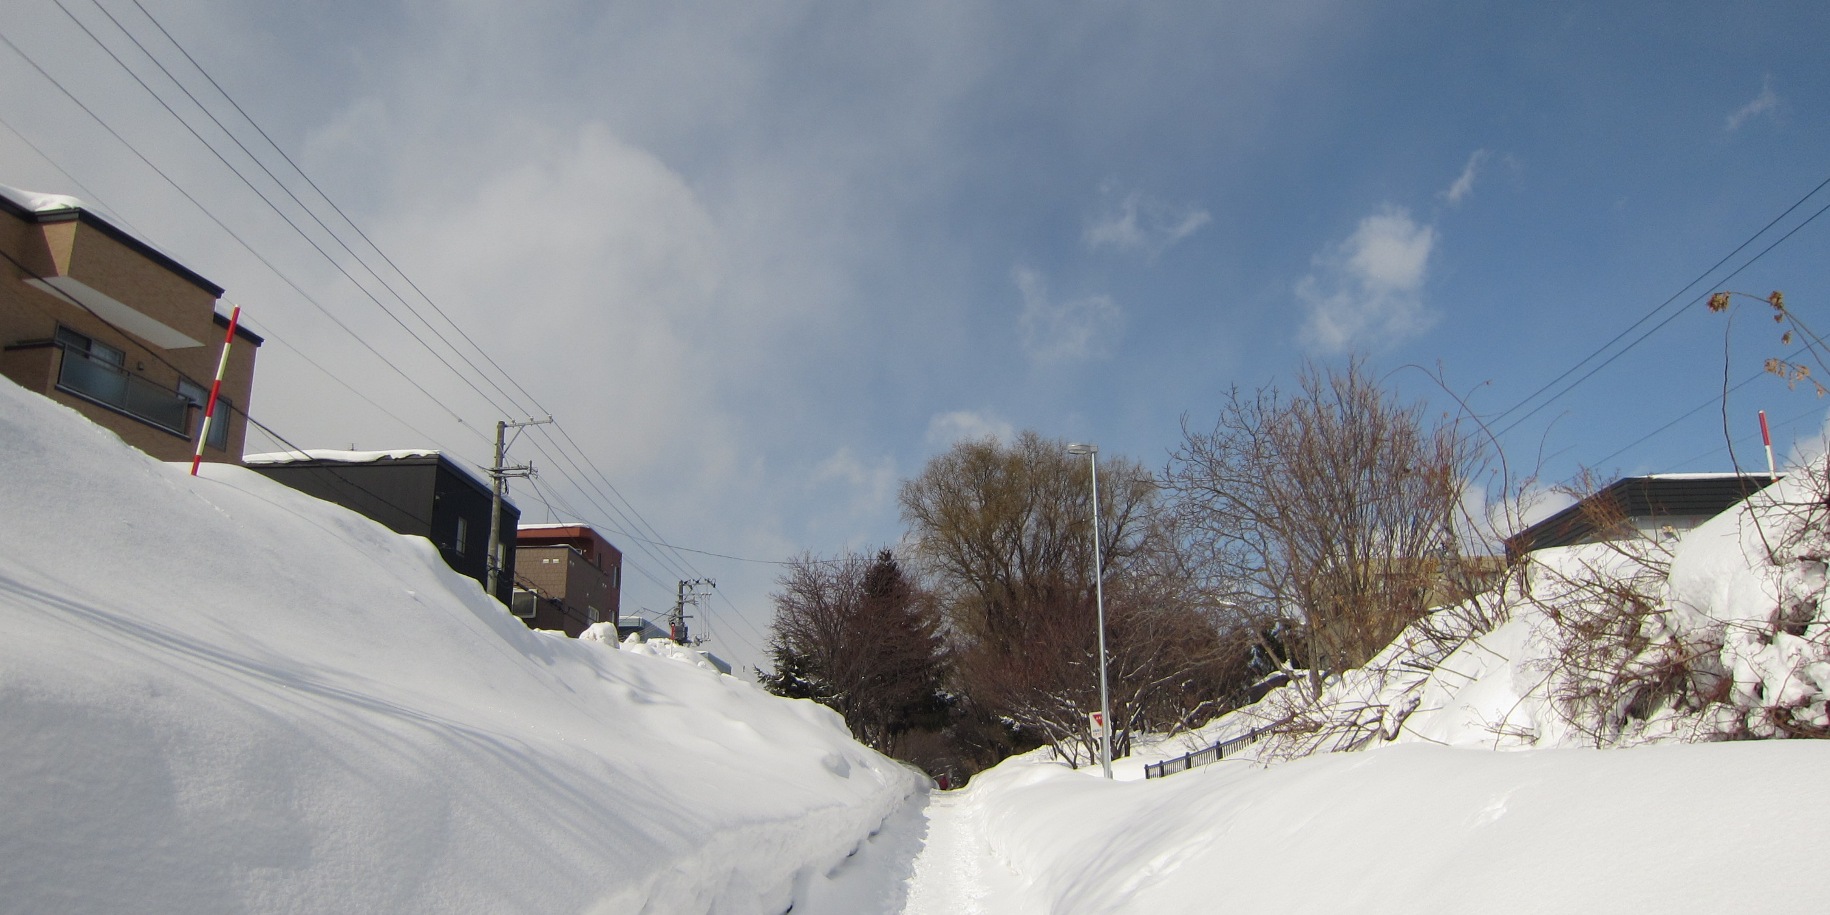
{"points": [[222, 696]]}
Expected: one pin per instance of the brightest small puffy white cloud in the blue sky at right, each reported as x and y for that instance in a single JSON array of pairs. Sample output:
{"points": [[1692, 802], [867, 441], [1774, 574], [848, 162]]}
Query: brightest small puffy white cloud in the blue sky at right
{"points": [[1368, 290]]}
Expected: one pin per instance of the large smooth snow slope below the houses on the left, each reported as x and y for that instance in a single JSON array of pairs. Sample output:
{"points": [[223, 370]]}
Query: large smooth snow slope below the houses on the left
{"points": [[222, 696]]}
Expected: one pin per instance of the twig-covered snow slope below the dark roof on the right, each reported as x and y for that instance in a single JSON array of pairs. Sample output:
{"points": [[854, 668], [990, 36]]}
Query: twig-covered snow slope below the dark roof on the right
{"points": [[1725, 638]]}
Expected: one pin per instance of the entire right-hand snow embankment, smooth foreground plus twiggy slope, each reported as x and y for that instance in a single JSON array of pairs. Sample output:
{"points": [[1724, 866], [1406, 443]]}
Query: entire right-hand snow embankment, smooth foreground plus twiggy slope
{"points": [[1426, 817]]}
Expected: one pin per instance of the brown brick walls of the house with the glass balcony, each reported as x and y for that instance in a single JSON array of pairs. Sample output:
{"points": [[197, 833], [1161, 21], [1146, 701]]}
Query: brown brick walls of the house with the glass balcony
{"points": [[63, 246]]}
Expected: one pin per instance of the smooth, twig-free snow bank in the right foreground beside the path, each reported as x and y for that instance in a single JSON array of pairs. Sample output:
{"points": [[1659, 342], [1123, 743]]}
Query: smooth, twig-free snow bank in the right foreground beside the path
{"points": [[1406, 830]]}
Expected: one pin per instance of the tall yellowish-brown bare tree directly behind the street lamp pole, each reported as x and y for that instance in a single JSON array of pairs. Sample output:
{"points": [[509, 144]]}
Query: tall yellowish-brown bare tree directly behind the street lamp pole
{"points": [[1006, 533]]}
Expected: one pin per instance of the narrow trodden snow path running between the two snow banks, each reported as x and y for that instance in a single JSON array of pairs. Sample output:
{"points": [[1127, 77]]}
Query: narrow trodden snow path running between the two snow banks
{"points": [[929, 859]]}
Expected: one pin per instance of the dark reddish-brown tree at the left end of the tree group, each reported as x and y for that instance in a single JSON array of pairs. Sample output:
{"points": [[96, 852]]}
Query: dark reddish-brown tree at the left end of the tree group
{"points": [[857, 636]]}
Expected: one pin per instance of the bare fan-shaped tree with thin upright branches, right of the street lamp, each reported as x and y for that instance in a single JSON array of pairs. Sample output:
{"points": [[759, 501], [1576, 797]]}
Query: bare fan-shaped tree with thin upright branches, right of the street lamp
{"points": [[1324, 521]]}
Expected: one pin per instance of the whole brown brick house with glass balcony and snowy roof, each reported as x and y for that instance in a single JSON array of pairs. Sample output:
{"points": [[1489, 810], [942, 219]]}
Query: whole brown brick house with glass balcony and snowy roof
{"points": [[107, 325]]}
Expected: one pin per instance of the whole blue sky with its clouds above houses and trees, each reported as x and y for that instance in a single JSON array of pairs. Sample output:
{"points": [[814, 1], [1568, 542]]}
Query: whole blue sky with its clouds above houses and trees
{"points": [[764, 259]]}
